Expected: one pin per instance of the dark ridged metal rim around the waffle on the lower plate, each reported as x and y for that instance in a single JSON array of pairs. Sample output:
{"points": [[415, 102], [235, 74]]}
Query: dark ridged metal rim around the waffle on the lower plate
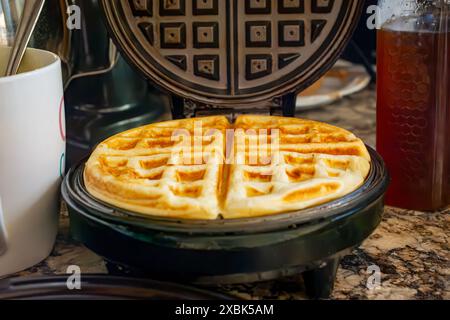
{"points": [[76, 195]]}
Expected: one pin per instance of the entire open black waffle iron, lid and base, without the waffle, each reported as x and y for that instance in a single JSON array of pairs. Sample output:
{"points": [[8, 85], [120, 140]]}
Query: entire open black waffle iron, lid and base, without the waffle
{"points": [[230, 57]]}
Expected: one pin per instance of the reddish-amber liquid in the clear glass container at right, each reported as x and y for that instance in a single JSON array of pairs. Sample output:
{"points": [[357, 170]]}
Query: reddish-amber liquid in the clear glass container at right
{"points": [[413, 124]]}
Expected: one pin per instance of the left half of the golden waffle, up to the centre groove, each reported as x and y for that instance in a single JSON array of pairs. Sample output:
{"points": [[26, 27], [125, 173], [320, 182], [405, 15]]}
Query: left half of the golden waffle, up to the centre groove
{"points": [[145, 170]]}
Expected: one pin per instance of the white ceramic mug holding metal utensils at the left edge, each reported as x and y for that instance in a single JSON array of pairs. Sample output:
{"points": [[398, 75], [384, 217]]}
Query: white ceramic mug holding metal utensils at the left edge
{"points": [[32, 148]]}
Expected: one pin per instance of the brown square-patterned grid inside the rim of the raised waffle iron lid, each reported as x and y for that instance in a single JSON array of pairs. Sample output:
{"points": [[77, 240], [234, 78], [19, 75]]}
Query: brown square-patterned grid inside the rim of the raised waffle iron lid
{"points": [[197, 40]]}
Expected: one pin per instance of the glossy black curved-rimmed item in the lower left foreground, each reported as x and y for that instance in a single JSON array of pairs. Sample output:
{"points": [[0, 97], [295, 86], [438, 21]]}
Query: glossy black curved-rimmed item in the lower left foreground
{"points": [[100, 287]]}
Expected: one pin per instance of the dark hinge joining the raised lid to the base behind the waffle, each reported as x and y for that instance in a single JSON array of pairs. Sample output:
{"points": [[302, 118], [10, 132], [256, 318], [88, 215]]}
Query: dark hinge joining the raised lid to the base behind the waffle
{"points": [[183, 108]]}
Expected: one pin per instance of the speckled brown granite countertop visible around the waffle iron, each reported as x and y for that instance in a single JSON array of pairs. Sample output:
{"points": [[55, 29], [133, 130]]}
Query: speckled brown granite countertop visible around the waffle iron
{"points": [[410, 248]]}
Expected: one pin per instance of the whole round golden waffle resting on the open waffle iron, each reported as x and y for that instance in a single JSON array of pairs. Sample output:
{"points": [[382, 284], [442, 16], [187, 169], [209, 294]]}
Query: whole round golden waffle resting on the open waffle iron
{"points": [[264, 166]]}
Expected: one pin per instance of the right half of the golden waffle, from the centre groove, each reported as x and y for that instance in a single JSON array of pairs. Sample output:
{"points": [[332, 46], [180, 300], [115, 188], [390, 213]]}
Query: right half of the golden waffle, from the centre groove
{"points": [[311, 164]]}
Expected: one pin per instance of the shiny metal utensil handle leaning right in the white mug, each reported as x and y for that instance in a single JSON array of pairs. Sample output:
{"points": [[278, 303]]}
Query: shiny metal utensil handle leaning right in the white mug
{"points": [[30, 15]]}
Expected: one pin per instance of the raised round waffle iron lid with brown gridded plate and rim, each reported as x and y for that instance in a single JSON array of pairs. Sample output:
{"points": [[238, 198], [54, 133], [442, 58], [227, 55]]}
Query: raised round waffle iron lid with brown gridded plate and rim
{"points": [[232, 53]]}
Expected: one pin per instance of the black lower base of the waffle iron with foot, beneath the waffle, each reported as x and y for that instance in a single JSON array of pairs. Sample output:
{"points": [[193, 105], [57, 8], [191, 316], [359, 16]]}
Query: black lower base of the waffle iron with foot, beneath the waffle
{"points": [[310, 242]]}
